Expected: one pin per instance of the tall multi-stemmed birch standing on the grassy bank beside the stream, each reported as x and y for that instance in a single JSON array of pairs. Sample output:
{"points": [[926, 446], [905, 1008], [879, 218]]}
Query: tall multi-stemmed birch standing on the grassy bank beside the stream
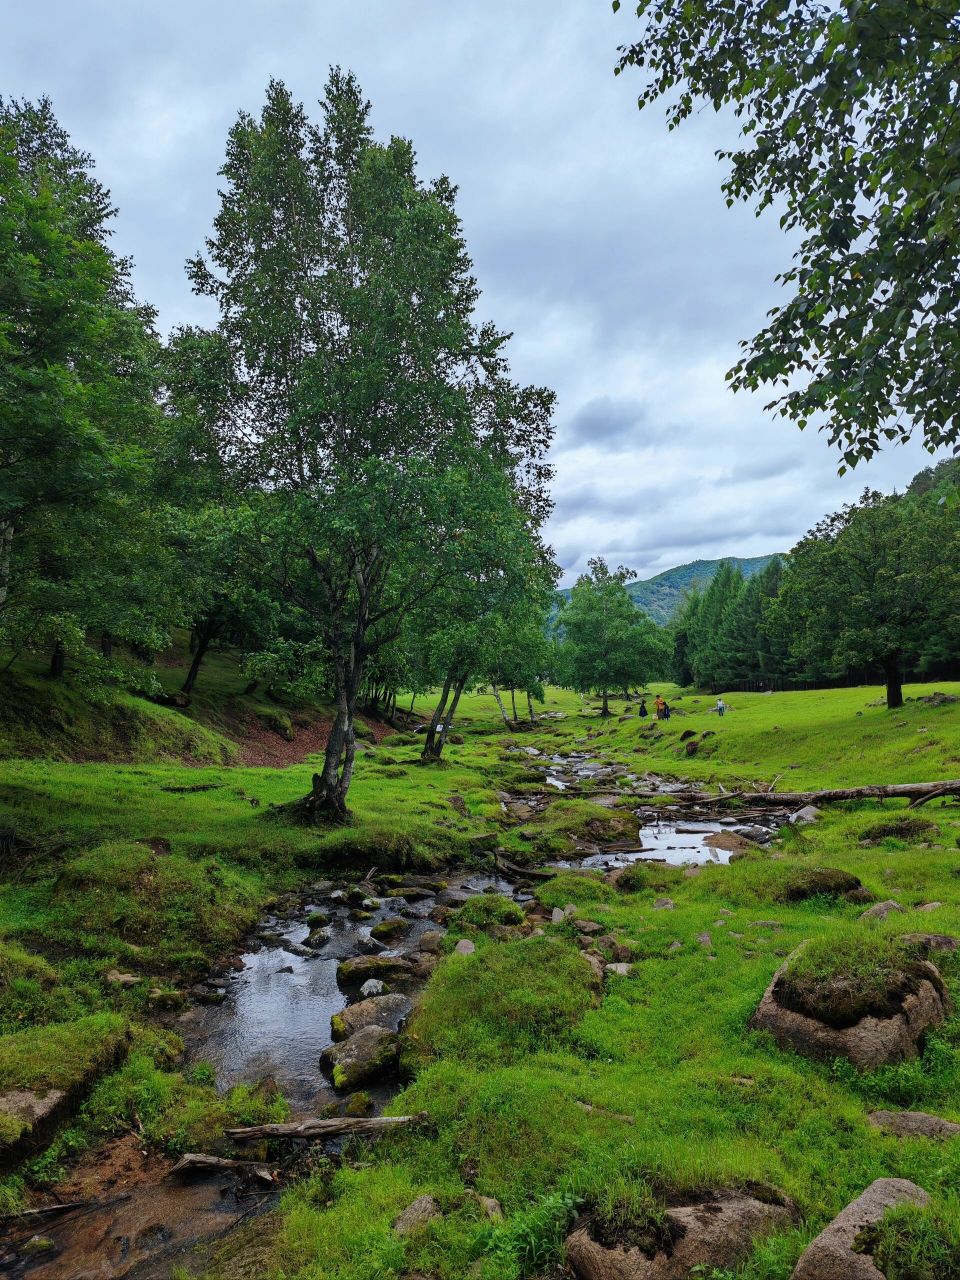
{"points": [[374, 413]]}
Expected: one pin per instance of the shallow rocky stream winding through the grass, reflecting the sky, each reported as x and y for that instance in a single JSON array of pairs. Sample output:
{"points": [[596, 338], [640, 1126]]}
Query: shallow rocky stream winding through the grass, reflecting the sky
{"points": [[266, 1017]]}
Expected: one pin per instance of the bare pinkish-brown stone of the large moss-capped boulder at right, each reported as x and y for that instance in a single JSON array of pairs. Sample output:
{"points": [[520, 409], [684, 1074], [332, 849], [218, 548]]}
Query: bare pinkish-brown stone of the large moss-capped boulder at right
{"points": [[870, 1043]]}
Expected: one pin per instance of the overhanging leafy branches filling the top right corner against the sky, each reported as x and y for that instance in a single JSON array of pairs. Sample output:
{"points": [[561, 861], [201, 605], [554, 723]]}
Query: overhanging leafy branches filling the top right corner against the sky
{"points": [[849, 126]]}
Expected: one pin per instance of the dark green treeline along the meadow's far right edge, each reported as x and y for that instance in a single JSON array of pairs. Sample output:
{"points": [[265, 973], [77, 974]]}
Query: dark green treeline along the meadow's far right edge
{"points": [[874, 591]]}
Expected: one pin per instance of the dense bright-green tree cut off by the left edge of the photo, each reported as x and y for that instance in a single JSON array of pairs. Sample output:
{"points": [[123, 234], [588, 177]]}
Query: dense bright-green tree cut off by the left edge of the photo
{"points": [[83, 533]]}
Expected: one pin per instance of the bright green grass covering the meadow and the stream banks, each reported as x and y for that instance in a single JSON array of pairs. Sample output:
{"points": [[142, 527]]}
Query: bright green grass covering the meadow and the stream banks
{"points": [[541, 1092]]}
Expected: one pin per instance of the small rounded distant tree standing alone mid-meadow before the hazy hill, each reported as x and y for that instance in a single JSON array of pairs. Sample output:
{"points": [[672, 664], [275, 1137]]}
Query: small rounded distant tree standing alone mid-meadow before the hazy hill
{"points": [[606, 642]]}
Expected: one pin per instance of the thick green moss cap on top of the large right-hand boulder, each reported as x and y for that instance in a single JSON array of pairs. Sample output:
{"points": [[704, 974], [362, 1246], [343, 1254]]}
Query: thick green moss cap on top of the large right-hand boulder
{"points": [[840, 981]]}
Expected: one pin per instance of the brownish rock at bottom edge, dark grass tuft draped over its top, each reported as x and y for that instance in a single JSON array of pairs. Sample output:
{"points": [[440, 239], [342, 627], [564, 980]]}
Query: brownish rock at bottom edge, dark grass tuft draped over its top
{"points": [[719, 1232]]}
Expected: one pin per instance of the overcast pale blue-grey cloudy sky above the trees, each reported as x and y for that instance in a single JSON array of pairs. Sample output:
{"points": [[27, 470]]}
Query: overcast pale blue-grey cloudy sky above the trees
{"points": [[601, 240]]}
